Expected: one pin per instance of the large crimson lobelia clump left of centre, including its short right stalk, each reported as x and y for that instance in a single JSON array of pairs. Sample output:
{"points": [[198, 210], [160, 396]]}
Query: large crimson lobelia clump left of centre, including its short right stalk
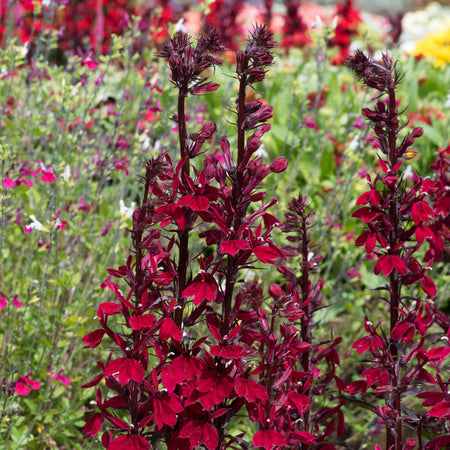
{"points": [[192, 345]]}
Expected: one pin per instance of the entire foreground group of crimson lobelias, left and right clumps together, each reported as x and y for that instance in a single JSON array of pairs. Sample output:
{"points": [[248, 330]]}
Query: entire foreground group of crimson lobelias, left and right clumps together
{"points": [[198, 342]]}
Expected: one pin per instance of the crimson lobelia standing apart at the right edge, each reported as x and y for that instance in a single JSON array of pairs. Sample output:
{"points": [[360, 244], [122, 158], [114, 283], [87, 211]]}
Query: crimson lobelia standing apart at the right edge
{"points": [[399, 235]]}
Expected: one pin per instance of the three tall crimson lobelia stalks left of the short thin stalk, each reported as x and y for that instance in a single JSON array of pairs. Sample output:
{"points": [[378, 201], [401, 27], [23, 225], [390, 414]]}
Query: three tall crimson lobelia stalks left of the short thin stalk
{"points": [[183, 369]]}
